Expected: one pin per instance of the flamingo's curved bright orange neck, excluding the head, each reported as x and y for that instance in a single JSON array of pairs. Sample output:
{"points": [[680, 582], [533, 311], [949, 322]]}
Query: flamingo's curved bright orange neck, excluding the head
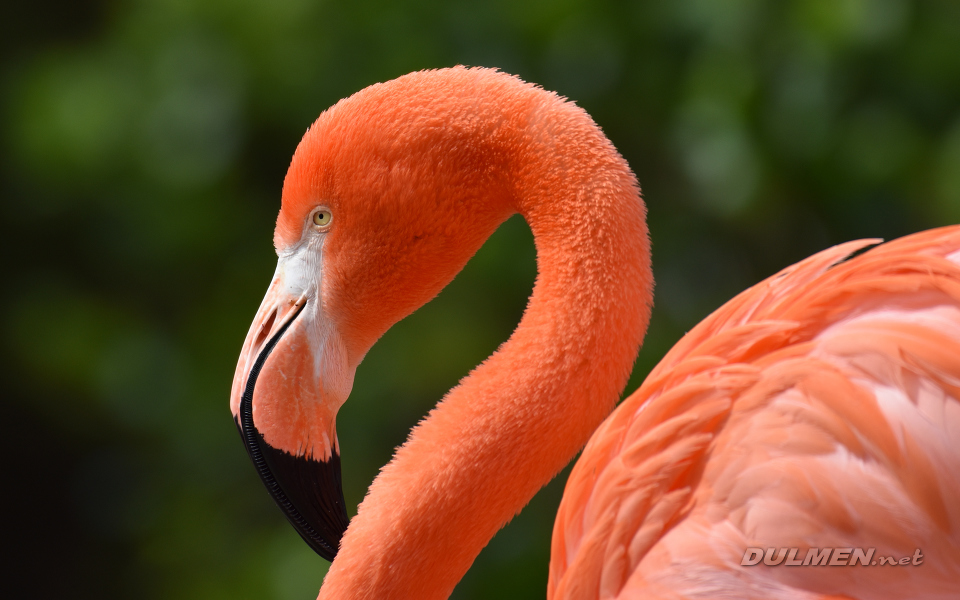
{"points": [[518, 418]]}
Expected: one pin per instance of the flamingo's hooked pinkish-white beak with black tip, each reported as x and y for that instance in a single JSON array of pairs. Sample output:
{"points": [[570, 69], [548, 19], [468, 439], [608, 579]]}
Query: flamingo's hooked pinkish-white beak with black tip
{"points": [[290, 382]]}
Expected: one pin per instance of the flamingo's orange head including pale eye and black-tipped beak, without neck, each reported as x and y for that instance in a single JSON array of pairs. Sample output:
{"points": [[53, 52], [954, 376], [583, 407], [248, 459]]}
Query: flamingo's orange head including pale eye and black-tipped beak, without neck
{"points": [[388, 195]]}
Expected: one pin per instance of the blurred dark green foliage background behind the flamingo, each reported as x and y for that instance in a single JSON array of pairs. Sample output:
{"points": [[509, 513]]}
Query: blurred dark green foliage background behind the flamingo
{"points": [[144, 143]]}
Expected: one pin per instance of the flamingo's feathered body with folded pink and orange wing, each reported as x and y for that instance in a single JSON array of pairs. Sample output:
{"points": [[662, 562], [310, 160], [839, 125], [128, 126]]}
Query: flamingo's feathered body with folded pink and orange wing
{"points": [[820, 408]]}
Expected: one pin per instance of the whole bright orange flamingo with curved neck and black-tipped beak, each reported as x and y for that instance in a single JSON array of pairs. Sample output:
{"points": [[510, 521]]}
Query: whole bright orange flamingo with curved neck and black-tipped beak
{"points": [[817, 409]]}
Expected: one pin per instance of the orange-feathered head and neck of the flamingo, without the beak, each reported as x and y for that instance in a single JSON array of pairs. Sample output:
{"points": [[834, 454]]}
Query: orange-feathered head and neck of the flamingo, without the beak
{"points": [[470, 147]]}
